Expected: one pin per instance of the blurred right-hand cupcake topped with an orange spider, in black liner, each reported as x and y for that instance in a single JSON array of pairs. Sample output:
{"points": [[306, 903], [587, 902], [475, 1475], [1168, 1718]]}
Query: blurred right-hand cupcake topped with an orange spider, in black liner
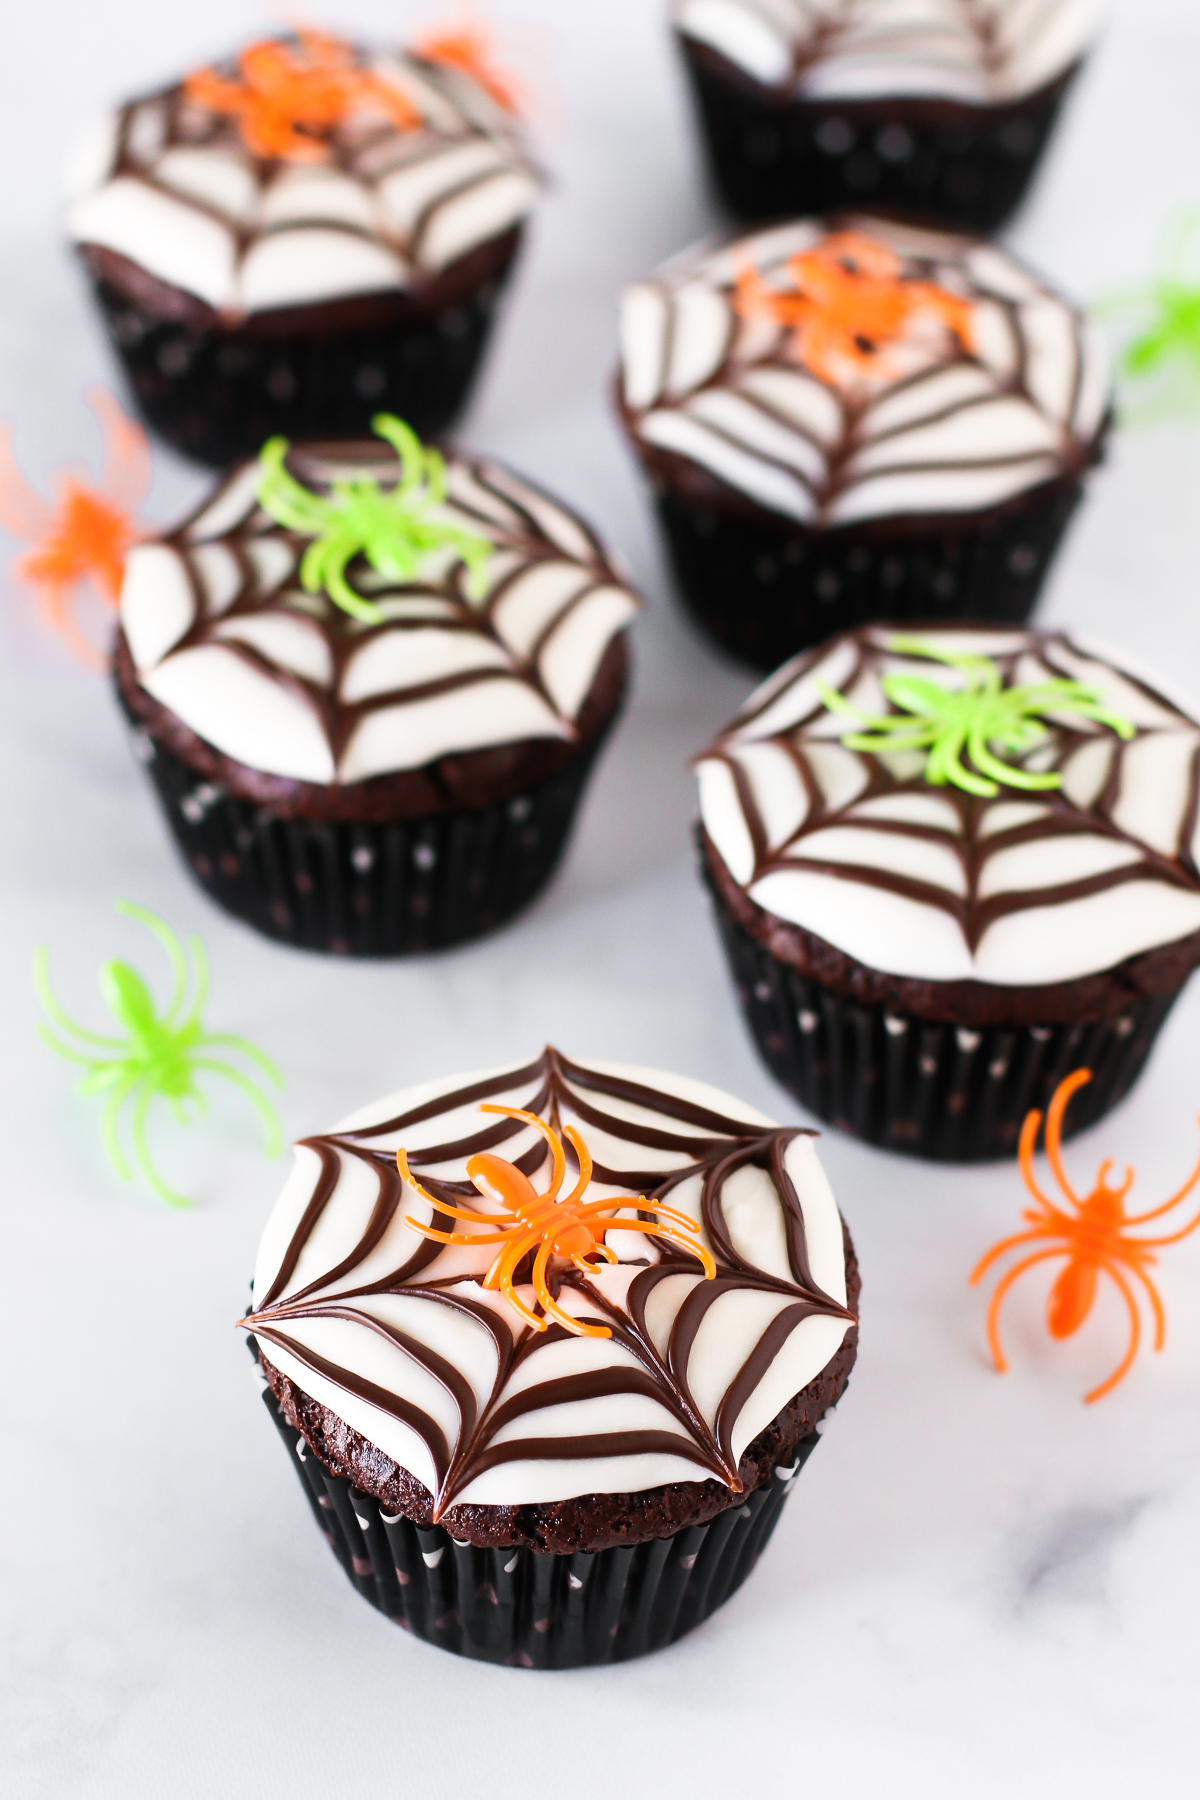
{"points": [[848, 420]]}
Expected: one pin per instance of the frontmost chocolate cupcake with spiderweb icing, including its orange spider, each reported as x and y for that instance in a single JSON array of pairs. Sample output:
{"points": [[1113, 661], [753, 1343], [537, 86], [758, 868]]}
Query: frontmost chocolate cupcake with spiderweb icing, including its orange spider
{"points": [[571, 1448]]}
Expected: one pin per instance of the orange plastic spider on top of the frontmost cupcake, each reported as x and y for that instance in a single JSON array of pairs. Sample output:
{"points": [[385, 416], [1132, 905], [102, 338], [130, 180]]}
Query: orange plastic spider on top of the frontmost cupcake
{"points": [[548, 1225]]}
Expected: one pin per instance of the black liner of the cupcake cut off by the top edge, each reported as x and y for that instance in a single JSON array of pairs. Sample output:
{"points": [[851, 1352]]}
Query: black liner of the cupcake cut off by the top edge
{"points": [[940, 163]]}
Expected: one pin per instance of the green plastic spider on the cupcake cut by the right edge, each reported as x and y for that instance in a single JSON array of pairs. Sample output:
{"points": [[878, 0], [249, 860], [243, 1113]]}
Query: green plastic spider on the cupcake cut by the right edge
{"points": [[951, 723]]}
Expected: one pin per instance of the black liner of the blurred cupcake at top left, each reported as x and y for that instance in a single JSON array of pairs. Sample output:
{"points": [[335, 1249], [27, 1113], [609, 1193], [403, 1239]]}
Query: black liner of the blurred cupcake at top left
{"points": [[220, 393]]}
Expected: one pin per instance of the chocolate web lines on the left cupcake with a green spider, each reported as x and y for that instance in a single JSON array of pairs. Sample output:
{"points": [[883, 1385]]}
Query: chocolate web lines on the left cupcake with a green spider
{"points": [[440, 606]]}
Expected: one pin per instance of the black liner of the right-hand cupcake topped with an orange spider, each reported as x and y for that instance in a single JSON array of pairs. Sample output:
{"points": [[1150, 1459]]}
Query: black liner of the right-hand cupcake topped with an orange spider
{"points": [[766, 591]]}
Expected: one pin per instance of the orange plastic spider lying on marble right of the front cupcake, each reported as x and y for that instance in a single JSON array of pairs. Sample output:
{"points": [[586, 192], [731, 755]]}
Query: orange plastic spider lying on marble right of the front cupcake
{"points": [[1095, 1241]]}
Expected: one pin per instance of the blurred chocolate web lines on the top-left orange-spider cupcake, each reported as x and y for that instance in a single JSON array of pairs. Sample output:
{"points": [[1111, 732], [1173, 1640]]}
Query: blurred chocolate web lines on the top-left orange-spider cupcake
{"points": [[363, 148]]}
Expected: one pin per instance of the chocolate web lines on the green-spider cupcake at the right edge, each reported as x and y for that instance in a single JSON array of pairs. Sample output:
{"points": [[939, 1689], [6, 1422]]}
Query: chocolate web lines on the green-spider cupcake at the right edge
{"points": [[971, 843]]}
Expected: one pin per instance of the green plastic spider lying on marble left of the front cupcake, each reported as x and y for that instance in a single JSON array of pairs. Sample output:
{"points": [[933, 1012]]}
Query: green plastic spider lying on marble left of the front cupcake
{"points": [[159, 1057]]}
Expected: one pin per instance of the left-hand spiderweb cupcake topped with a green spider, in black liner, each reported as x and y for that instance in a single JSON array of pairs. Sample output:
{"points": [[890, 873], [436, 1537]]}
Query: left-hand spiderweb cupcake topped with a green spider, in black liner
{"points": [[370, 688]]}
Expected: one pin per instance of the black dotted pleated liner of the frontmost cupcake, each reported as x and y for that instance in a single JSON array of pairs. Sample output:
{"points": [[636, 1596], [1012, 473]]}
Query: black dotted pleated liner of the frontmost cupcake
{"points": [[524, 1608]]}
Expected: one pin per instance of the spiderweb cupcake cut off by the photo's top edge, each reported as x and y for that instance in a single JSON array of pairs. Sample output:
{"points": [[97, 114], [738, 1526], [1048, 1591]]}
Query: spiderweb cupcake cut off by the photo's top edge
{"points": [[927, 109]]}
